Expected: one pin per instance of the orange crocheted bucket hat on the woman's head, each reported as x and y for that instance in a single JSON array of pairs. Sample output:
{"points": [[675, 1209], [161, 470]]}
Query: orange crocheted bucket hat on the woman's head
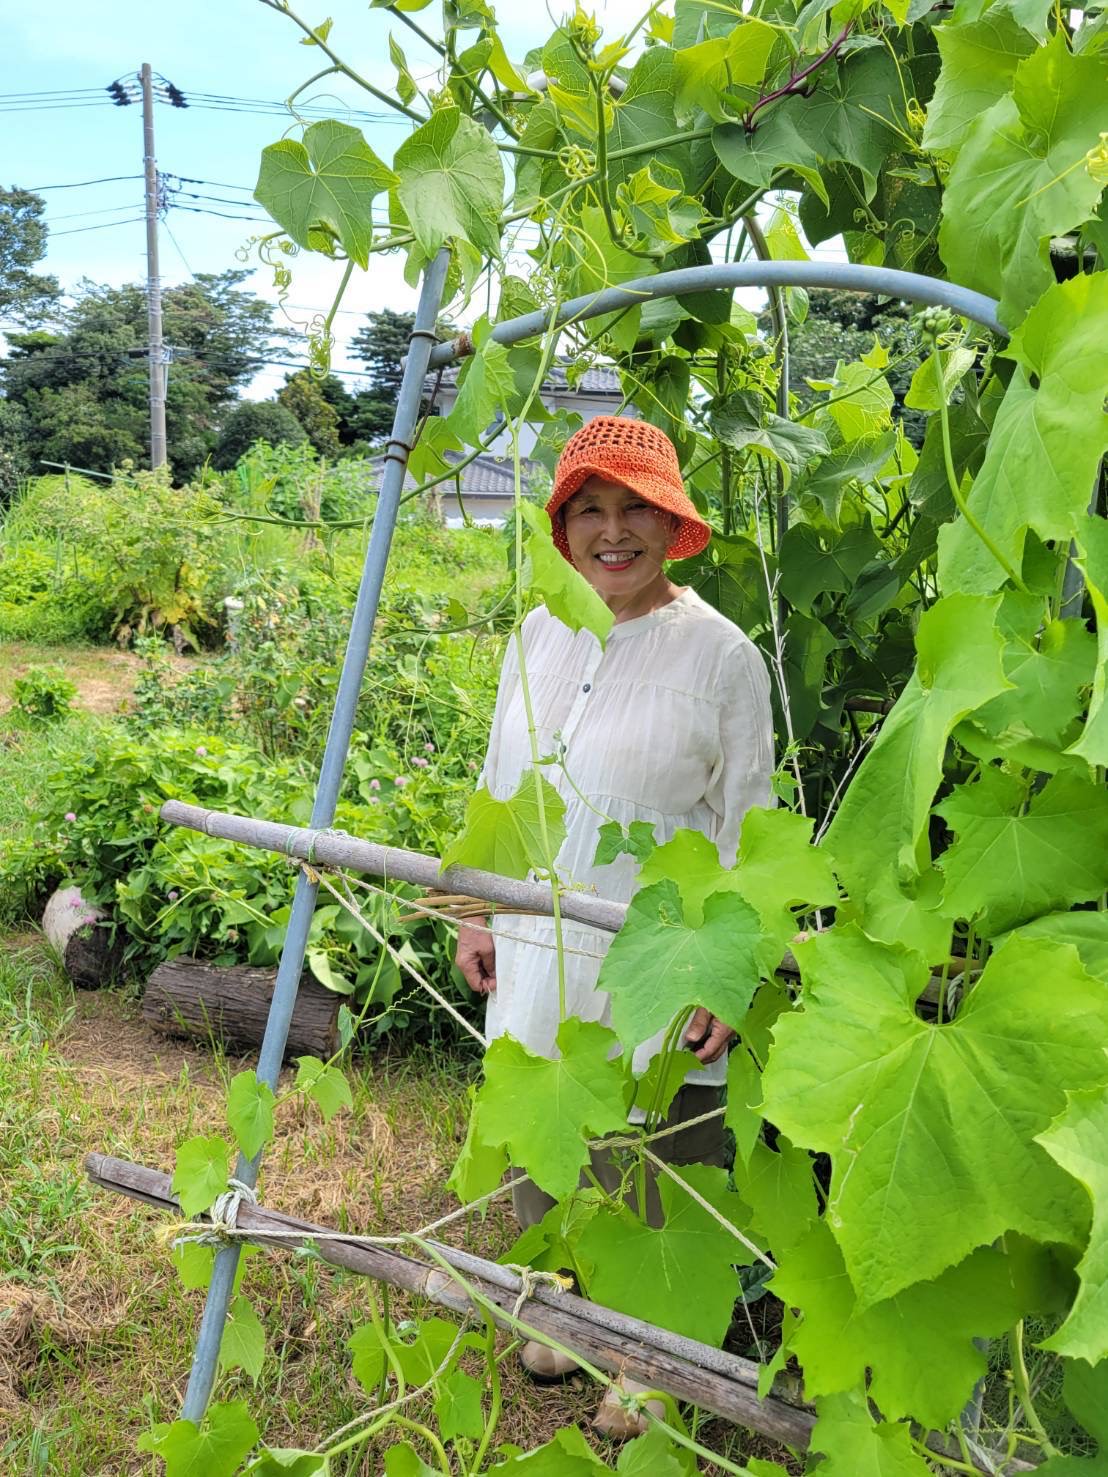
{"points": [[639, 457]]}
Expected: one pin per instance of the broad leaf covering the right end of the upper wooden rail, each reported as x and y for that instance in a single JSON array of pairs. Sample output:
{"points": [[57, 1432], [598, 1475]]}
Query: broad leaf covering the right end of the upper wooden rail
{"points": [[658, 964]]}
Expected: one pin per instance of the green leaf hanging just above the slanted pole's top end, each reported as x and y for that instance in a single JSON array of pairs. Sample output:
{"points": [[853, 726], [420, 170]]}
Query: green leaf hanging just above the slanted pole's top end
{"points": [[451, 182]]}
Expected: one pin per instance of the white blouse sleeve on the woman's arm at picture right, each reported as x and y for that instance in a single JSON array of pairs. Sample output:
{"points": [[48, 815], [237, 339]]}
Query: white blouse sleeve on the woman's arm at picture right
{"points": [[747, 760]]}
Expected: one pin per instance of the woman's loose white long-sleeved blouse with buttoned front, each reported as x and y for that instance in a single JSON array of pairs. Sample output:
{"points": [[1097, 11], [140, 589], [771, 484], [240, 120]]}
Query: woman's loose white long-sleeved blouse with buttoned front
{"points": [[668, 724]]}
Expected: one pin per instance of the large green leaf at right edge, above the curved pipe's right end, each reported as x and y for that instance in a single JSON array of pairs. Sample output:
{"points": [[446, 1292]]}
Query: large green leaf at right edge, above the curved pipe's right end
{"points": [[1022, 178]]}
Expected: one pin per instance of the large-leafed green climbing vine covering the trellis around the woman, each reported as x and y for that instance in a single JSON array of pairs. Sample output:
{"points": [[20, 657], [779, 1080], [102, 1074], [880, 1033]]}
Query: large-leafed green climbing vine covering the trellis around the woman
{"points": [[921, 1119]]}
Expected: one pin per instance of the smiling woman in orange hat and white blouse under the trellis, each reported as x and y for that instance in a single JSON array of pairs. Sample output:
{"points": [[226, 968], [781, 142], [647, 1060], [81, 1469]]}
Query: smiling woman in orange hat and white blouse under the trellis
{"points": [[668, 724]]}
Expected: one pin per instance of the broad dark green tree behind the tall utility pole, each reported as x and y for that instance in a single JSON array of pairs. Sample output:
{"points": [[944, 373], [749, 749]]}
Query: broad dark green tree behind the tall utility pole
{"points": [[83, 389]]}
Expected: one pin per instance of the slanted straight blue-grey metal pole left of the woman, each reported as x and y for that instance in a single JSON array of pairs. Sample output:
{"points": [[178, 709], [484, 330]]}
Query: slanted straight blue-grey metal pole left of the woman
{"points": [[211, 1337]]}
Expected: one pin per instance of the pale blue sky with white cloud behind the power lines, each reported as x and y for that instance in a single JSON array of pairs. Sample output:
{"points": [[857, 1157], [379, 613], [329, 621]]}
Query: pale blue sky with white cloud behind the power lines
{"points": [[239, 49]]}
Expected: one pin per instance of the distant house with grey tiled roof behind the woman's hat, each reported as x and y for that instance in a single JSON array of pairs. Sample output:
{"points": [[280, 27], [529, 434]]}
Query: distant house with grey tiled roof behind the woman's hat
{"points": [[488, 487]]}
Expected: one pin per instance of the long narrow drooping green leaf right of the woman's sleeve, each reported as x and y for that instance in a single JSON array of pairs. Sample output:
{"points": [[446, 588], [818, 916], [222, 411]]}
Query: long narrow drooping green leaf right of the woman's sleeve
{"points": [[880, 829]]}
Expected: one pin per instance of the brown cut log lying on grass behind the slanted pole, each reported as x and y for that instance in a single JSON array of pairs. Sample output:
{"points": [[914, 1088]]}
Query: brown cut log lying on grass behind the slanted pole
{"points": [[191, 999]]}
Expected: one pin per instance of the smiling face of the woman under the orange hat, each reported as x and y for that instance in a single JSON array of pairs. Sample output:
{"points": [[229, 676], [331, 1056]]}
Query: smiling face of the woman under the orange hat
{"points": [[620, 543]]}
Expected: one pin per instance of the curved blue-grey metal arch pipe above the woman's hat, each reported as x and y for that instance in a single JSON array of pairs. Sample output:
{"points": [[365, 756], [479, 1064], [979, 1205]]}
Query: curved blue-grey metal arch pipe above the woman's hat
{"points": [[852, 277]]}
